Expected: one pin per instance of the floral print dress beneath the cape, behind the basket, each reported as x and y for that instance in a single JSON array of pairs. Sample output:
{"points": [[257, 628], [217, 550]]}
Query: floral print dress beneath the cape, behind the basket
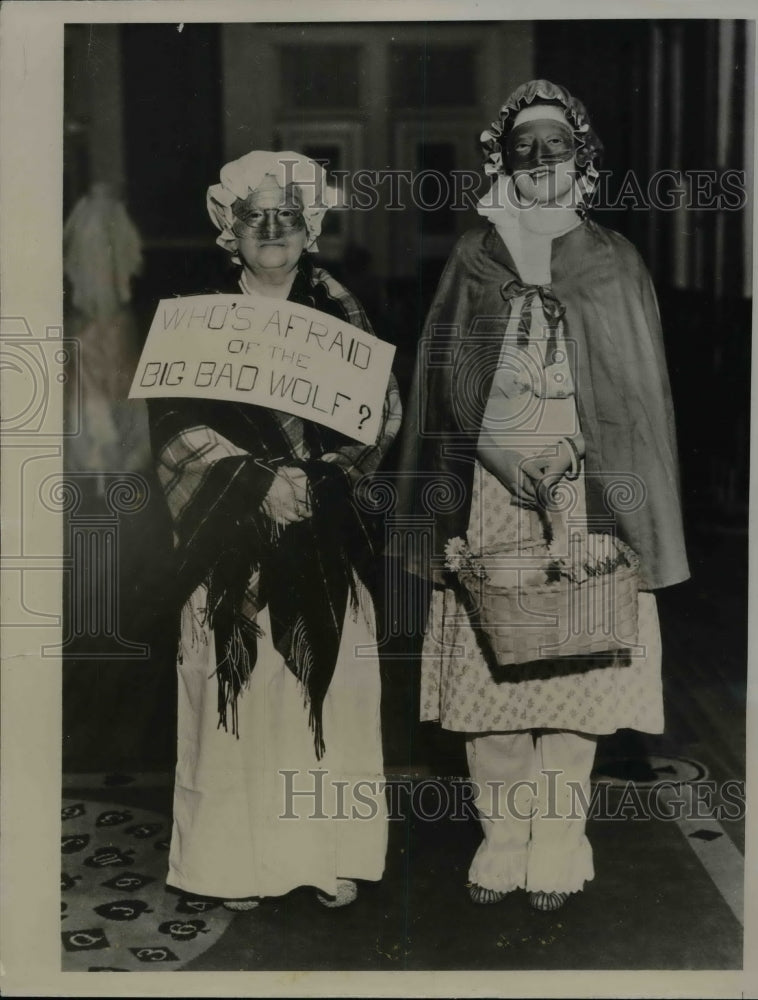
{"points": [[458, 686]]}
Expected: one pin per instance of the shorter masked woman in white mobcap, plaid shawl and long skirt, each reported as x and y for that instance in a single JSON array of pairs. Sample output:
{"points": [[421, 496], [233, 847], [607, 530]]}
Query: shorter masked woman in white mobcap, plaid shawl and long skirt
{"points": [[278, 667]]}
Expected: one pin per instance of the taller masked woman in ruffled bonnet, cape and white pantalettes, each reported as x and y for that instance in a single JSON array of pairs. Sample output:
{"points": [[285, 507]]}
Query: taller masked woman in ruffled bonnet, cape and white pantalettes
{"points": [[555, 381]]}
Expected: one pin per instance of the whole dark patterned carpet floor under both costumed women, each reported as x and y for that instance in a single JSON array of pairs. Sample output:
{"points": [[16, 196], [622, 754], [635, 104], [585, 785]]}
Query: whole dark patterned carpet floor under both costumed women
{"points": [[658, 900]]}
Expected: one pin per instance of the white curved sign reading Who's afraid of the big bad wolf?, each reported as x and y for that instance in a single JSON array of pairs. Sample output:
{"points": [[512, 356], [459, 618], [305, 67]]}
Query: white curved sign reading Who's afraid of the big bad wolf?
{"points": [[269, 352]]}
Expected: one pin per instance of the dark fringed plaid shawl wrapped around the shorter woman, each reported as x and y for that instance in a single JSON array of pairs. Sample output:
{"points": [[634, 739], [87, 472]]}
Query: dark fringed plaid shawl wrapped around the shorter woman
{"points": [[216, 461]]}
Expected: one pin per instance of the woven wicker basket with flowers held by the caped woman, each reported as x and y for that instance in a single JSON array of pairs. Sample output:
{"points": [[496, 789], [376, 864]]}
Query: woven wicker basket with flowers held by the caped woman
{"points": [[538, 621]]}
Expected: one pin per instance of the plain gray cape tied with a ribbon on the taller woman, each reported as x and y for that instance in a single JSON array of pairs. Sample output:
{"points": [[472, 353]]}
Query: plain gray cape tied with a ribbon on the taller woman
{"points": [[623, 396]]}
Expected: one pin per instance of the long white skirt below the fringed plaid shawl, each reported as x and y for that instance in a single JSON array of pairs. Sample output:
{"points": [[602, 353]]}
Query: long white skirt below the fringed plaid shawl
{"points": [[238, 829]]}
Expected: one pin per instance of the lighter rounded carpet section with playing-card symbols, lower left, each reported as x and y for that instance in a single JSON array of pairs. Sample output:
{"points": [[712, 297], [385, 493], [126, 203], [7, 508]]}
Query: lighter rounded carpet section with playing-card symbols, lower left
{"points": [[116, 912]]}
